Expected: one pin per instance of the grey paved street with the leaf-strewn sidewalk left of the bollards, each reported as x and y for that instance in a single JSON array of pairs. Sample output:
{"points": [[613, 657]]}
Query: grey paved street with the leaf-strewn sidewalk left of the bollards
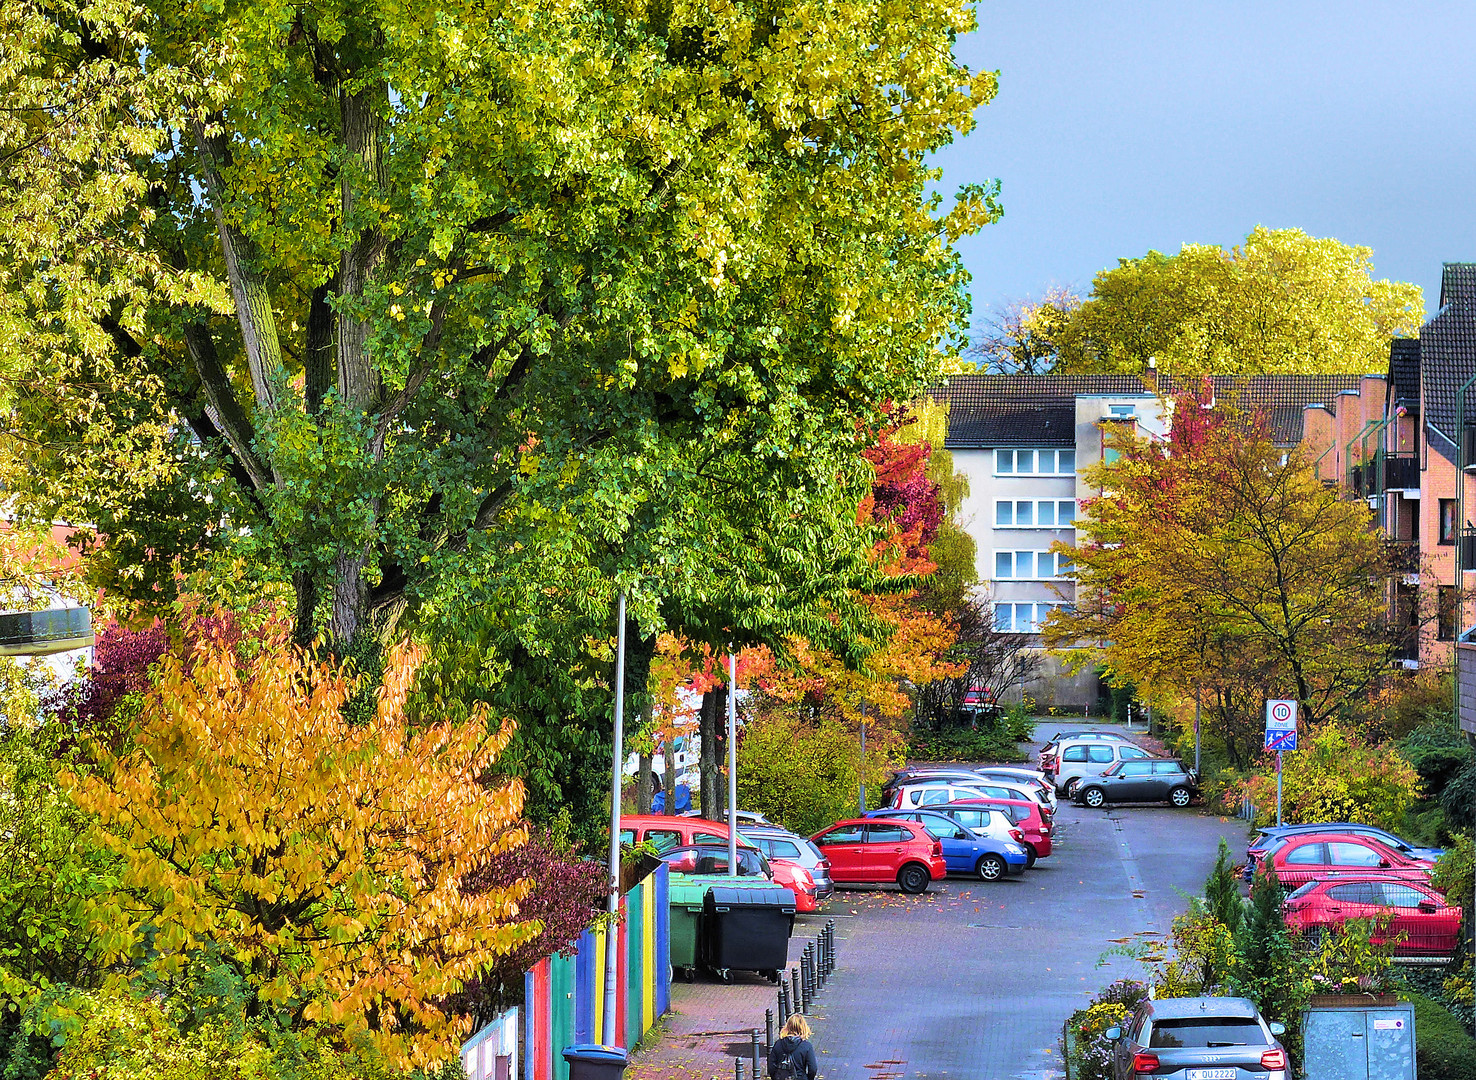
{"points": [[970, 980]]}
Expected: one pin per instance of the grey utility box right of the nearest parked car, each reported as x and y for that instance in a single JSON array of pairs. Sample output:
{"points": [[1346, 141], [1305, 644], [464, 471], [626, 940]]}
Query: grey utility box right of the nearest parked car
{"points": [[1359, 1042]]}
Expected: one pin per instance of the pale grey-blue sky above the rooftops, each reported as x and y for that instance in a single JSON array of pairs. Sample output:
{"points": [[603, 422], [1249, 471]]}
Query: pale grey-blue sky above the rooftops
{"points": [[1127, 128]]}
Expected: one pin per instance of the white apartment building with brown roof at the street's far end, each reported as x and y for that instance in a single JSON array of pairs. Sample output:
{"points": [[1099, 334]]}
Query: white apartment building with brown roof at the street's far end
{"points": [[1024, 443]]}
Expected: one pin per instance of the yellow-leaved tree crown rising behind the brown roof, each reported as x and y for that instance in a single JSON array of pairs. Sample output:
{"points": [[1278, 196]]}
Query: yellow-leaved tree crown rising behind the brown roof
{"points": [[1282, 302]]}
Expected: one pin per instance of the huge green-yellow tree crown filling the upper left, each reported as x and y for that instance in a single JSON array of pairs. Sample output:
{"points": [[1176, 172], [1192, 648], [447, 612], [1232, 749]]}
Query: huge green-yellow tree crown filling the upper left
{"points": [[460, 302]]}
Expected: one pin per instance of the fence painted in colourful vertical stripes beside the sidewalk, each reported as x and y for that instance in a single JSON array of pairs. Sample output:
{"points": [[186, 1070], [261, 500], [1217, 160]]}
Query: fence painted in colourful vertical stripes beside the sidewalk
{"points": [[565, 997]]}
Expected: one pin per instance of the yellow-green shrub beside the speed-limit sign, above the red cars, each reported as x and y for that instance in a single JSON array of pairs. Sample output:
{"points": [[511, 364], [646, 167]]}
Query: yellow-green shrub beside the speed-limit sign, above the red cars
{"points": [[1338, 777]]}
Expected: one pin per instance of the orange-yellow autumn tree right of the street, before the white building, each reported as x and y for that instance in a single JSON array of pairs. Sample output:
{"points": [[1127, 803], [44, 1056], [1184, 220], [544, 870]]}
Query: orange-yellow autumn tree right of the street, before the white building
{"points": [[1218, 564]]}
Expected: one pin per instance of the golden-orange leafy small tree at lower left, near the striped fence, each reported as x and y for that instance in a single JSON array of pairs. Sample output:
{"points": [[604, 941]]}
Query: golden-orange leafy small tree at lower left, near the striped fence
{"points": [[324, 861]]}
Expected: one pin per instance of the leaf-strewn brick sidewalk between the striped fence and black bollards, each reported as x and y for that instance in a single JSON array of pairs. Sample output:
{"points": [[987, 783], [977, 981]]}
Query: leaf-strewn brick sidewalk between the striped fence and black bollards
{"points": [[711, 1022]]}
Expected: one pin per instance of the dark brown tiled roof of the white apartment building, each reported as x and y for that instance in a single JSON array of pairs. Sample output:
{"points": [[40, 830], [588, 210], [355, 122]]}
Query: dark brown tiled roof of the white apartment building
{"points": [[990, 411]]}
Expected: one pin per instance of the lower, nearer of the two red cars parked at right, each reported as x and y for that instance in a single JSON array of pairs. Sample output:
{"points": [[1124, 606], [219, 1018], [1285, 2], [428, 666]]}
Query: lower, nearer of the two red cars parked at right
{"points": [[1400, 910]]}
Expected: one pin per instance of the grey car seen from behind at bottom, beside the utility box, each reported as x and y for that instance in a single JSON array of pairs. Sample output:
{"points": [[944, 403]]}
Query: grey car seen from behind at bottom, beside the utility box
{"points": [[1199, 1039]]}
